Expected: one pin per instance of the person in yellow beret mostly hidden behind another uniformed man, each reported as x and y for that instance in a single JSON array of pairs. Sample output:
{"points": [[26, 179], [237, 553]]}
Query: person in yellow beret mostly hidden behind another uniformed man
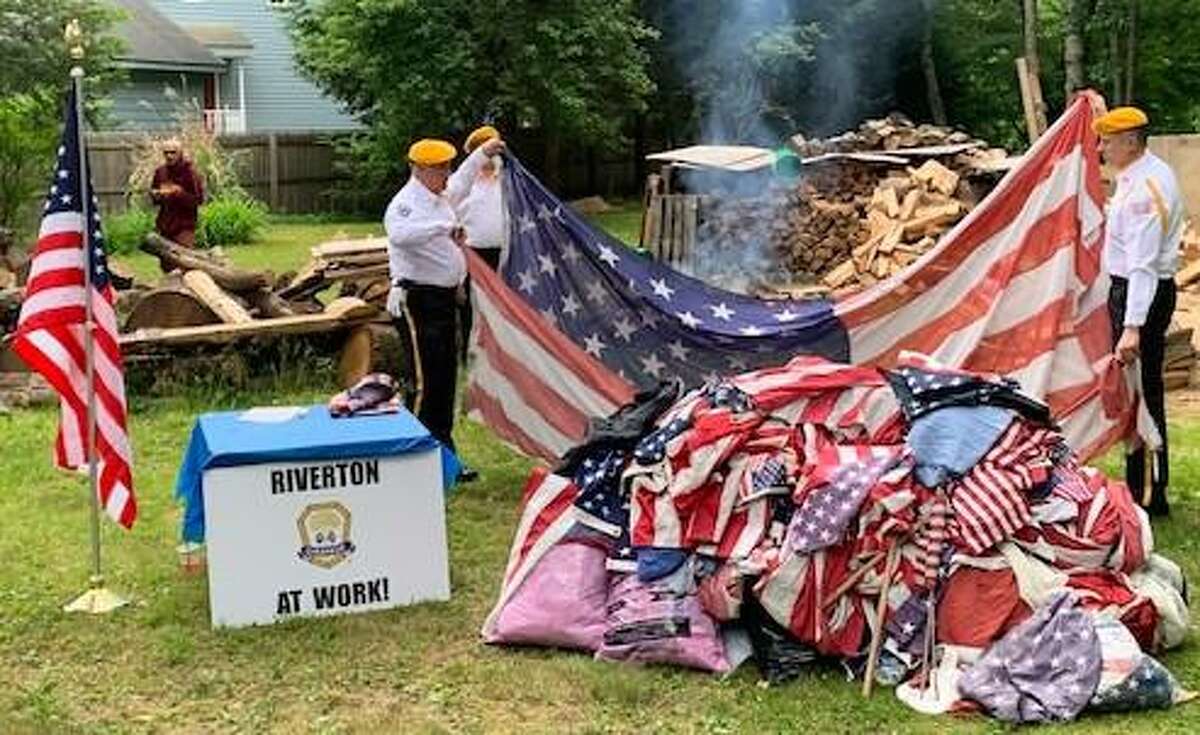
{"points": [[484, 217]]}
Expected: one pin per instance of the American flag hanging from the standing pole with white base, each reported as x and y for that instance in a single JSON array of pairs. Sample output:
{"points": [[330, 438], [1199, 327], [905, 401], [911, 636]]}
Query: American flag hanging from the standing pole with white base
{"points": [[51, 332]]}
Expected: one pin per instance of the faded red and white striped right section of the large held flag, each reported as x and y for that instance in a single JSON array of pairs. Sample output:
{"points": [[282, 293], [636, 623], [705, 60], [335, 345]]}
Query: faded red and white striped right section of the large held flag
{"points": [[1016, 289]]}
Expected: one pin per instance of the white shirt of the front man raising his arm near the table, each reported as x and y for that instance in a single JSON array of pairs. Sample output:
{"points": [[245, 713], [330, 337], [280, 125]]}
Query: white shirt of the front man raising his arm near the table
{"points": [[419, 224]]}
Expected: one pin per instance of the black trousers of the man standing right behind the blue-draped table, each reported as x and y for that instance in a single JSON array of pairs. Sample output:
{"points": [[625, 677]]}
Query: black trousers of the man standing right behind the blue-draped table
{"points": [[428, 332]]}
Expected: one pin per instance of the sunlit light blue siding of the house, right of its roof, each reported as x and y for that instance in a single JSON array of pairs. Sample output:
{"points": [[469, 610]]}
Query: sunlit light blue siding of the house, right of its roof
{"points": [[278, 99]]}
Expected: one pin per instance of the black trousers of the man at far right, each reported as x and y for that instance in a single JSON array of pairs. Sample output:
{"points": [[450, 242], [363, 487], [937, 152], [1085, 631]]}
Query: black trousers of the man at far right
{"points": [[1154, 346]]}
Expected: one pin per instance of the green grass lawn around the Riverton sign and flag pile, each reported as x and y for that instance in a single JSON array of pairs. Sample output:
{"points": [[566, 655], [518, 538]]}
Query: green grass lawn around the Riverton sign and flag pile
{"points": [[158, 667]]}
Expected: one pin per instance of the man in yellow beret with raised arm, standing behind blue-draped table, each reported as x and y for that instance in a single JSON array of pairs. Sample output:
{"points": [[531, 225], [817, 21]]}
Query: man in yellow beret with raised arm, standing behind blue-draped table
{"points": [[428, 270]]}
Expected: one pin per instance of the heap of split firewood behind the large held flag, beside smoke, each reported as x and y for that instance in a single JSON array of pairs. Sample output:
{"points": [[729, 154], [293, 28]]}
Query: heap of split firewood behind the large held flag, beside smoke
{"points": [[867, 205]]}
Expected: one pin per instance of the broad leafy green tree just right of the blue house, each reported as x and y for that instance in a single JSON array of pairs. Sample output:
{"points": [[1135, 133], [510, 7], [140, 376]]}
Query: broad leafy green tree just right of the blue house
{"points": [[573, 70]]}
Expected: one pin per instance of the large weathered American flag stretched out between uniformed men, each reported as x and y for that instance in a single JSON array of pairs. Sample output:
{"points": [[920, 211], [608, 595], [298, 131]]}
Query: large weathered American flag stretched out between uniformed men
{"points": [[575, 322]]}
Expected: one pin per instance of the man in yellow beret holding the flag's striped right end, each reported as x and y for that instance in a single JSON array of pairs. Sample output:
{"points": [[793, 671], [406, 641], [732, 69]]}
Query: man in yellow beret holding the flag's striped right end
{"points": [[1144, 230]]}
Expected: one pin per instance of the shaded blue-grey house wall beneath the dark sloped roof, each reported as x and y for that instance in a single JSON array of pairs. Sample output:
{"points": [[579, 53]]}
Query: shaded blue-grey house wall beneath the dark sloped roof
{"points": [[145, 103]]}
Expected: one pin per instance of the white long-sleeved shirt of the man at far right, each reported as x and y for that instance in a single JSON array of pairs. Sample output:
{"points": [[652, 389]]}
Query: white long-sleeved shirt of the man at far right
{"points": [[1145, 229]]}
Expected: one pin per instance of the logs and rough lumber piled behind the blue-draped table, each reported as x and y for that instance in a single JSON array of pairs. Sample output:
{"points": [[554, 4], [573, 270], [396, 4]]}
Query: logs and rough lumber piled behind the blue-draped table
{"points": [[203, 304]]}
